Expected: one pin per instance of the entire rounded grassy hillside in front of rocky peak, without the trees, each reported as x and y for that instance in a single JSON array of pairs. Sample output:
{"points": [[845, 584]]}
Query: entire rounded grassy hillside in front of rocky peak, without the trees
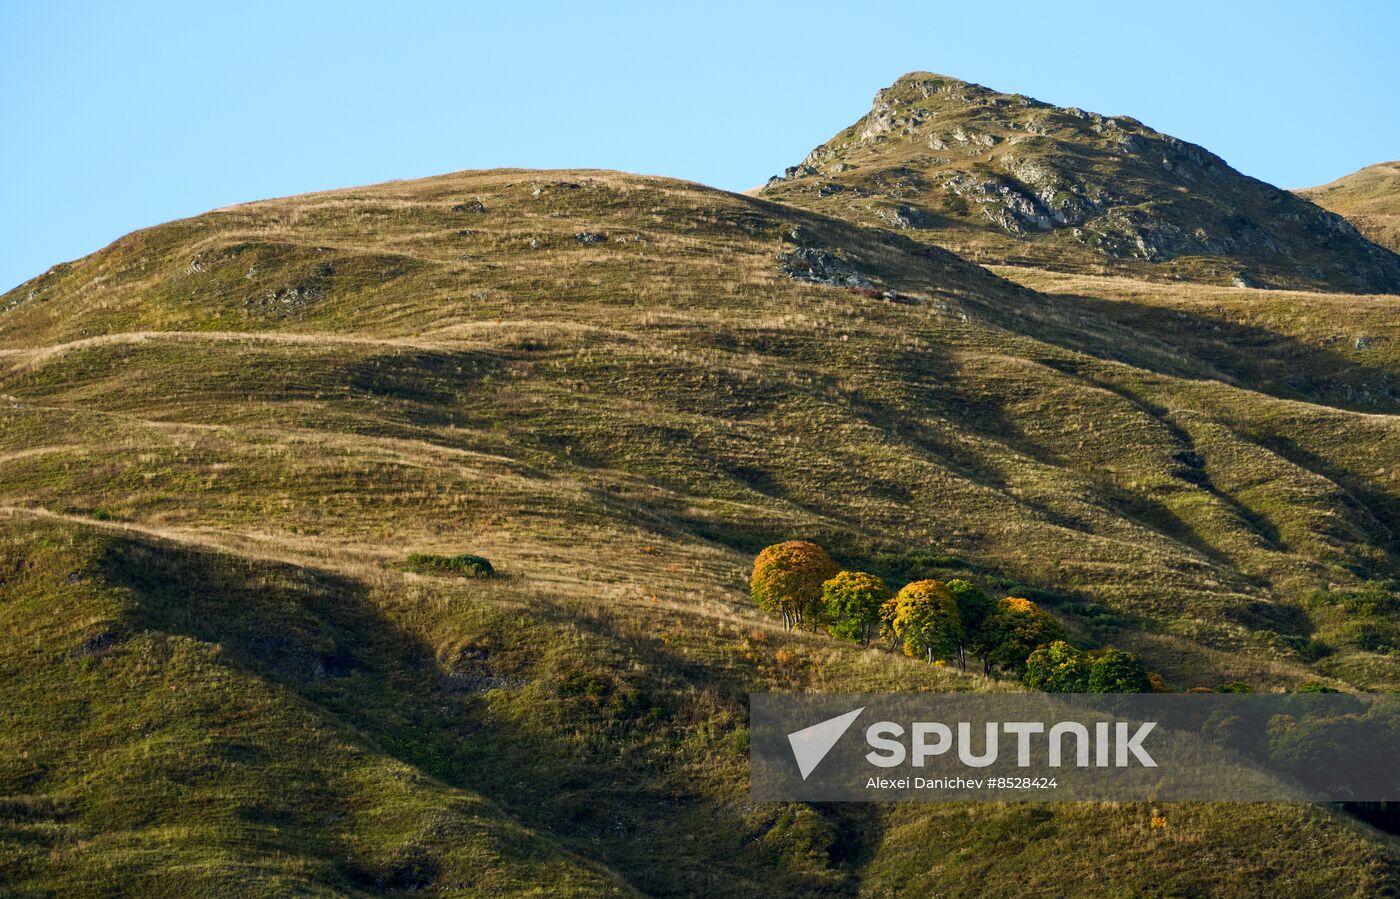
{"points": [[225, 438]]}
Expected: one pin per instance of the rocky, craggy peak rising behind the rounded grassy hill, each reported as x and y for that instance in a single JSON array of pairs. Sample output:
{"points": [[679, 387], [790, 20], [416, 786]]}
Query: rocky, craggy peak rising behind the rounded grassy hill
{"points": [[1003, 179]]}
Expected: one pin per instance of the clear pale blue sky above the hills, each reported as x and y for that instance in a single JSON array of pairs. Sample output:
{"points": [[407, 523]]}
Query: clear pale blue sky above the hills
{"points": [[122, 116]]}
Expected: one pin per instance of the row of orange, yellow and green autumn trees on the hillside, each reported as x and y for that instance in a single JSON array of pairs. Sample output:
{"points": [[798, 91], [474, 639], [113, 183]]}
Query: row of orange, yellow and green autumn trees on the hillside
{"points": [[934, 621]]}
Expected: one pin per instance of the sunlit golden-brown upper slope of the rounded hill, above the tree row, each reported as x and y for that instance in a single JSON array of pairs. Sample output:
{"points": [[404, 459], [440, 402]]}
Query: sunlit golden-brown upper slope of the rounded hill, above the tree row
{"points": [[556, 356]]}
